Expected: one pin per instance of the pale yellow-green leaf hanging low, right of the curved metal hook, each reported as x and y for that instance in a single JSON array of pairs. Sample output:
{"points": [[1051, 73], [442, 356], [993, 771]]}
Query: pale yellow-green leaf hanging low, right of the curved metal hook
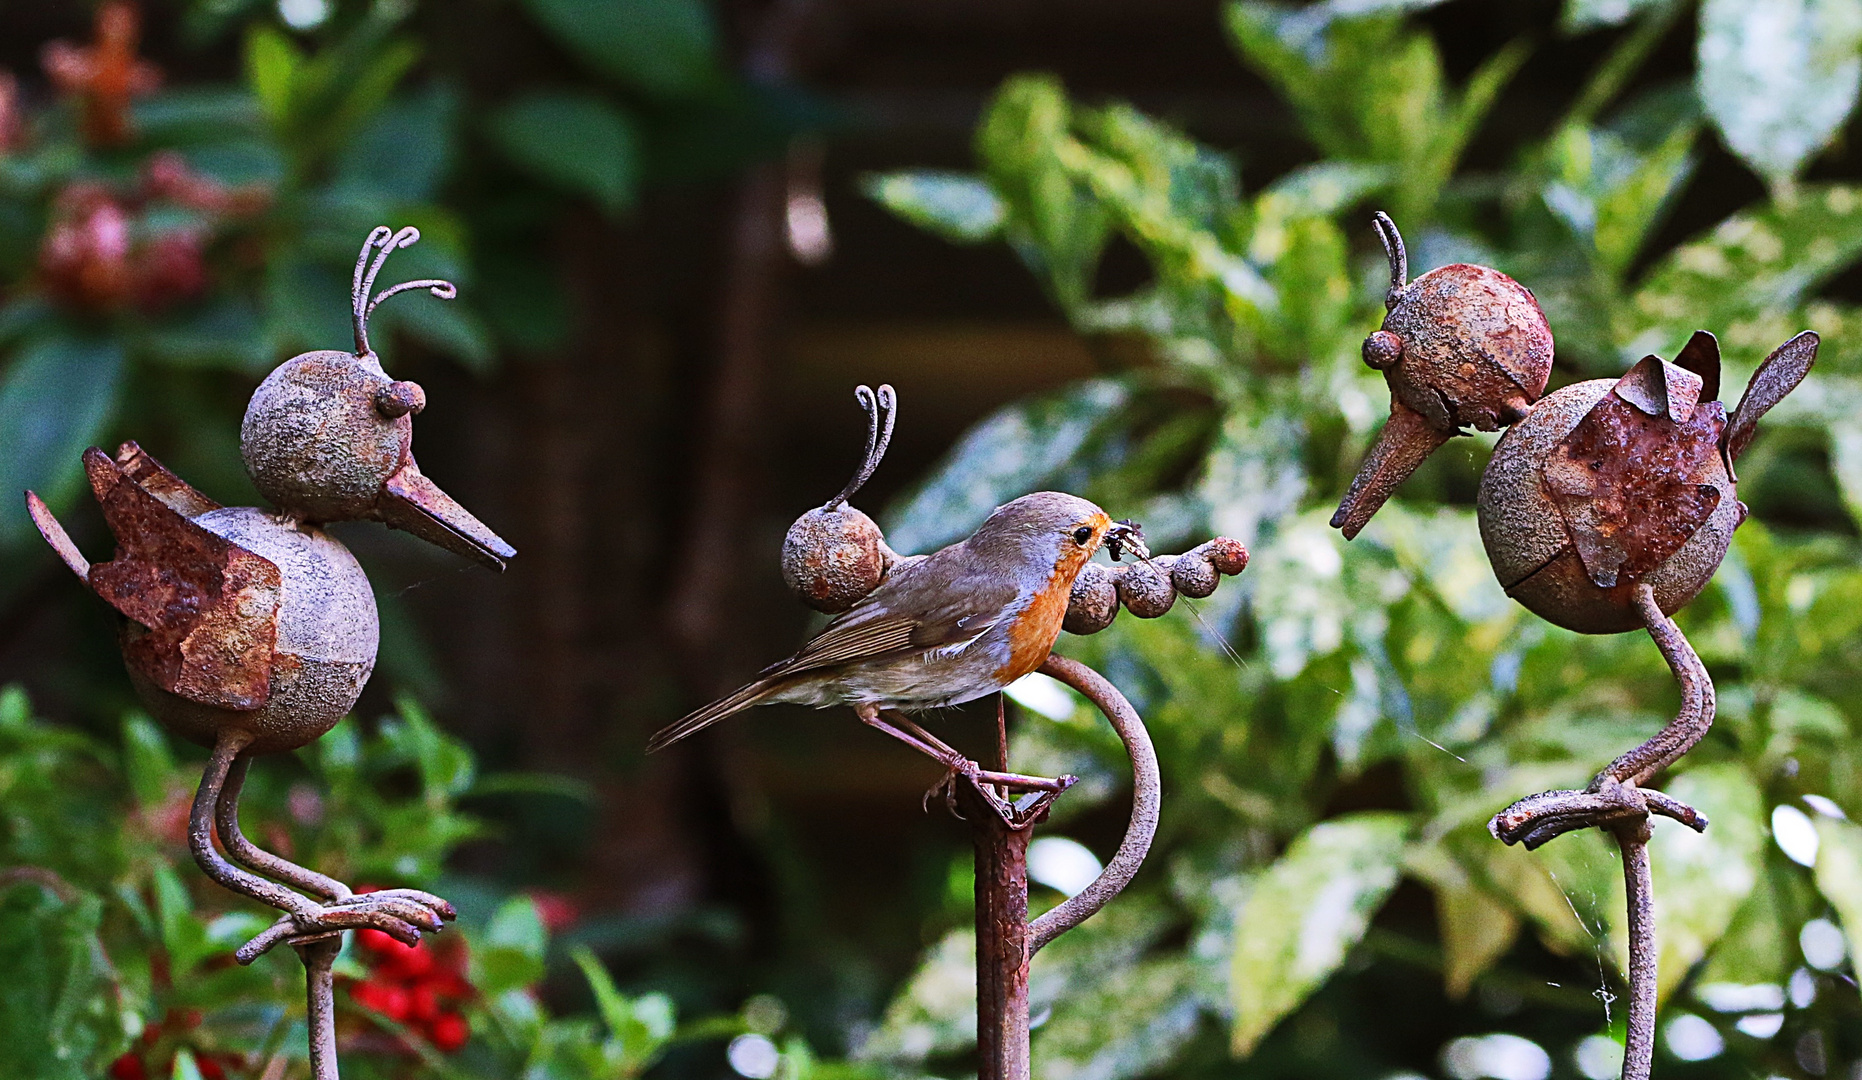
{"points": [[1306, 913]]}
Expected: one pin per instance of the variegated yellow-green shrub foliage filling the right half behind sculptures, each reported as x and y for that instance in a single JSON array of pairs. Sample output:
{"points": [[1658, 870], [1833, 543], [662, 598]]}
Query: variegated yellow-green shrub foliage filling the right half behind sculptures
{"points": [[1338, 725]]}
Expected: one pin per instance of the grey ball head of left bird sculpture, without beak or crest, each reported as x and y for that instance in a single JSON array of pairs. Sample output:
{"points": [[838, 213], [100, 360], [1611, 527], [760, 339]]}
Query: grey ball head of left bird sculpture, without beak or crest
{"points": [[317, 439]]}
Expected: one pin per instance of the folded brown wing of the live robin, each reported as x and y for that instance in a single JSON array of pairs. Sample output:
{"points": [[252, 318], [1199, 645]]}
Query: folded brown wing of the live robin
{"points": [[917, 612]]}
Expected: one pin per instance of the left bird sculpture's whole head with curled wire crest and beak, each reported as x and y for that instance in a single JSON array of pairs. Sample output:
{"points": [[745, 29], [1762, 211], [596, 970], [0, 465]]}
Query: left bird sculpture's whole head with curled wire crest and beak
{"points": [[329, 435]]}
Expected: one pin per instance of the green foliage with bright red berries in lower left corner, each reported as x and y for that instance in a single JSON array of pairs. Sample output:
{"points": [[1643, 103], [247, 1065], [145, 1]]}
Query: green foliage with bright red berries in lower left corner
{"points": [[116, 954]]}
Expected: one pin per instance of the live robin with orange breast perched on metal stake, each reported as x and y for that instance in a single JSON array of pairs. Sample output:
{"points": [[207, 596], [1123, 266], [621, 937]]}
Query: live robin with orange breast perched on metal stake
{"points": [[941, 630]]}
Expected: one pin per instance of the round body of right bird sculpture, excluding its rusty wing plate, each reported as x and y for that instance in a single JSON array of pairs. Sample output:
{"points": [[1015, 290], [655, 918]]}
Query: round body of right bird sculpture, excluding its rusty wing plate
{"points": [[1533, 554]]}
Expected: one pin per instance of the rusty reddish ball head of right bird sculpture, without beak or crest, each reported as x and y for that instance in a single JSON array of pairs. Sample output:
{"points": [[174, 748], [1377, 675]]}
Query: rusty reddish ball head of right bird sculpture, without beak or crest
{"points": [[1476, 349]]}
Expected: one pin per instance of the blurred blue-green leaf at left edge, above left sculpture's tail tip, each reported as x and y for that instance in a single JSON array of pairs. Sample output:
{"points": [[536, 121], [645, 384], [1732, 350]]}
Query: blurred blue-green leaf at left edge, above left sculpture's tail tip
{"points": [[57, 399]]}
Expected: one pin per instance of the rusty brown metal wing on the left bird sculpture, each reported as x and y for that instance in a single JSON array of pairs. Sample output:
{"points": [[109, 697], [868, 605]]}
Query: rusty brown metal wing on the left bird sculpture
{"points": [[208, 604]]}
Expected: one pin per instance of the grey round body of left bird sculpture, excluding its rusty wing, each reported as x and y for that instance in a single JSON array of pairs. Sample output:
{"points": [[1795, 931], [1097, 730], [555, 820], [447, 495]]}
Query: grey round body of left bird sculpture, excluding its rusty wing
{"points": [[327, 640]]}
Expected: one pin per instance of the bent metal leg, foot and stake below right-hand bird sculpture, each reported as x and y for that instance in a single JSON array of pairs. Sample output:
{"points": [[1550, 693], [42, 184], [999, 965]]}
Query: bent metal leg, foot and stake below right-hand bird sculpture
{"points": [[1619, 805]]}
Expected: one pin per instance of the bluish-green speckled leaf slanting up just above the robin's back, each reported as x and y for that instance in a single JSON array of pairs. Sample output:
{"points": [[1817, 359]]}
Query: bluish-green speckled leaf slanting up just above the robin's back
{"points": [[1001, 459]]}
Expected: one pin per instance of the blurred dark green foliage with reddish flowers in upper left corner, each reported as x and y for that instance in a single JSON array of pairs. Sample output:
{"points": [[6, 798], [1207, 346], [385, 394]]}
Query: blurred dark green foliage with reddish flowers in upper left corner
{"points": [[200, 234]]}
